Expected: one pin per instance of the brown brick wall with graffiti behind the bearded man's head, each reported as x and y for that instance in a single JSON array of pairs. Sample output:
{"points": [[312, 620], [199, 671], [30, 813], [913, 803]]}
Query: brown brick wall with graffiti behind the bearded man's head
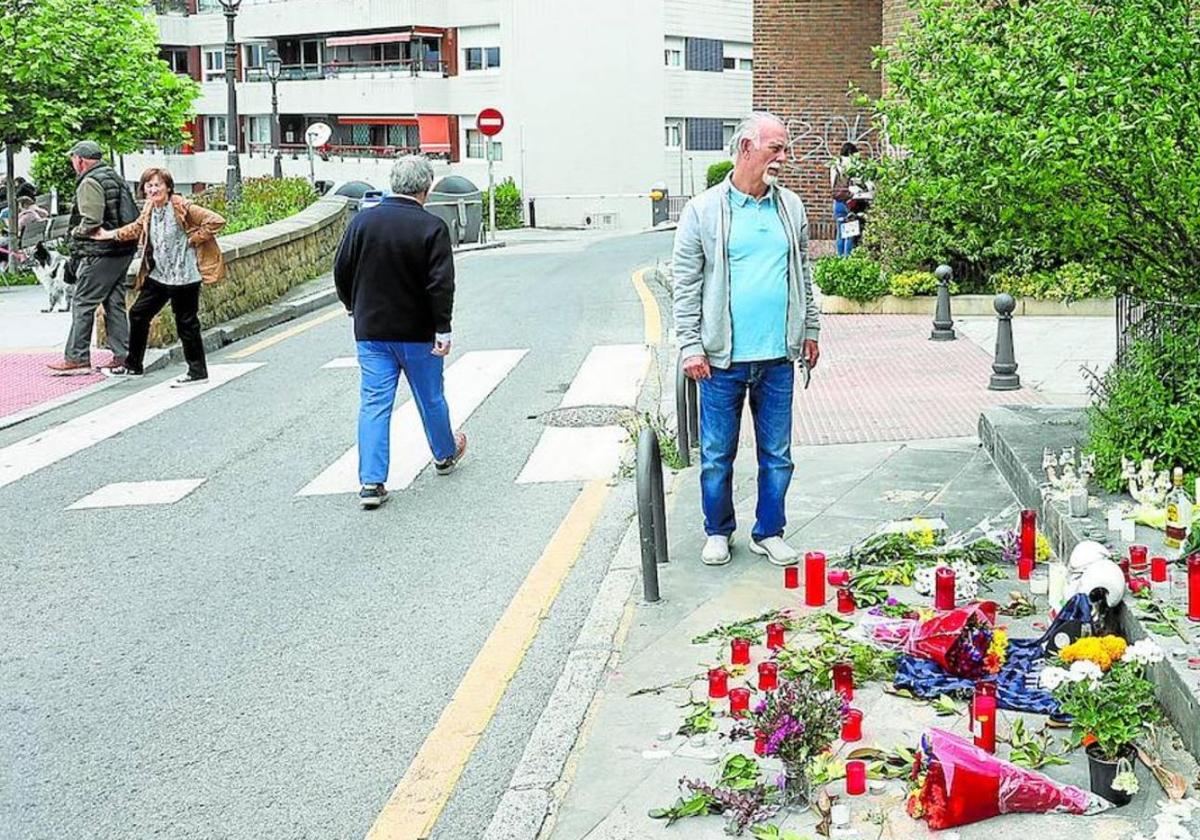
{"points": [[806, 56]]}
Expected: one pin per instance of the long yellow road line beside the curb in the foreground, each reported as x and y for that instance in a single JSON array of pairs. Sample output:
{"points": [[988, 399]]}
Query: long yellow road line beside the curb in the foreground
{"points": [[423, 794]]}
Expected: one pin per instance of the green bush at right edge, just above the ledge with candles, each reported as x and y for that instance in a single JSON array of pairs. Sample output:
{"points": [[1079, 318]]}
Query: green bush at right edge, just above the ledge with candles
{"points": [[1149, 407]]}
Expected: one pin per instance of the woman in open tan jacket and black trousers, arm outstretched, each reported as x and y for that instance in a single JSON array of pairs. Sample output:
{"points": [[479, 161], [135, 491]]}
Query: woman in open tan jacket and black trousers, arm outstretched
{"points": [[177, 241]]}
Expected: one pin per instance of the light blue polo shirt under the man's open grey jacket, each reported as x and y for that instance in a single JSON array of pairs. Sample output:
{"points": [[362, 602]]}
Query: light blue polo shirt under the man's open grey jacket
{"points": [[758, 253]]}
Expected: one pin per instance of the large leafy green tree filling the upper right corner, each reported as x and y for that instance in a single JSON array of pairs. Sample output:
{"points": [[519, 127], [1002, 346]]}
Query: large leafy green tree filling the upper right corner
{"points": [[1036, 133]]}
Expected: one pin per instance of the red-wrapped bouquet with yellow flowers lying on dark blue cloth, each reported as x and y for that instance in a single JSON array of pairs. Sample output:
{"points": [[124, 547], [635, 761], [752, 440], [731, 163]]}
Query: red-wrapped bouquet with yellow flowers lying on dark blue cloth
{"points": [[962, 641]]}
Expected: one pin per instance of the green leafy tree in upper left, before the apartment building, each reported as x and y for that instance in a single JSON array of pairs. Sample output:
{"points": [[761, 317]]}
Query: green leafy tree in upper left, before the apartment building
{"points": [[86, 69]]}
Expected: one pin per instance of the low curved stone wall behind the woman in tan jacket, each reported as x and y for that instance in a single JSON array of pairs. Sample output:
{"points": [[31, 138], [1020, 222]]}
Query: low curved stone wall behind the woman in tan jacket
{"points": [[263, 265]]}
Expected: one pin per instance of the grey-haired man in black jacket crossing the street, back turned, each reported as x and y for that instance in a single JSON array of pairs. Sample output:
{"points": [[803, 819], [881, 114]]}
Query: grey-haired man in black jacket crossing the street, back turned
{"points": [[395, 274]]}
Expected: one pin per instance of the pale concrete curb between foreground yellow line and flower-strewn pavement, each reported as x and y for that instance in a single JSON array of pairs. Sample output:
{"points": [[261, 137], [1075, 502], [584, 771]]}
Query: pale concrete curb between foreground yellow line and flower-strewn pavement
{"points": [[530, 797]]}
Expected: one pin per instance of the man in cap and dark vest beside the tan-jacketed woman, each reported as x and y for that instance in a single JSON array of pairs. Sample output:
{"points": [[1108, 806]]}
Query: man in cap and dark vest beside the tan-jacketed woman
{"points": [[104, 202]]}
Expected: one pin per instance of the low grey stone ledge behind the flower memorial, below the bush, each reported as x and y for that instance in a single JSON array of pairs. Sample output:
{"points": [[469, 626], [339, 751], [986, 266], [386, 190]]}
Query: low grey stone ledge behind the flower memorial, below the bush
{"points": [[1016, 440]]}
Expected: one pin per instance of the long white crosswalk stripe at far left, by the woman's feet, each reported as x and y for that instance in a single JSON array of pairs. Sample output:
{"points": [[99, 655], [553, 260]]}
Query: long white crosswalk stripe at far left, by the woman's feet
{"points": [[58, 443]]}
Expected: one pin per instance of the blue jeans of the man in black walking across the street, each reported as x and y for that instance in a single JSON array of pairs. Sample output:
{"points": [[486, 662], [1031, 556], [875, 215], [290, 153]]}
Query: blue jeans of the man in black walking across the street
{"points": [[382, 363]]}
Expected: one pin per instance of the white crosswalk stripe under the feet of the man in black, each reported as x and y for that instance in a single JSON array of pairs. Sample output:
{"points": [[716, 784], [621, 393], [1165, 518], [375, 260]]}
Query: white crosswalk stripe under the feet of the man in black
{"points": [[469, 383]]}
